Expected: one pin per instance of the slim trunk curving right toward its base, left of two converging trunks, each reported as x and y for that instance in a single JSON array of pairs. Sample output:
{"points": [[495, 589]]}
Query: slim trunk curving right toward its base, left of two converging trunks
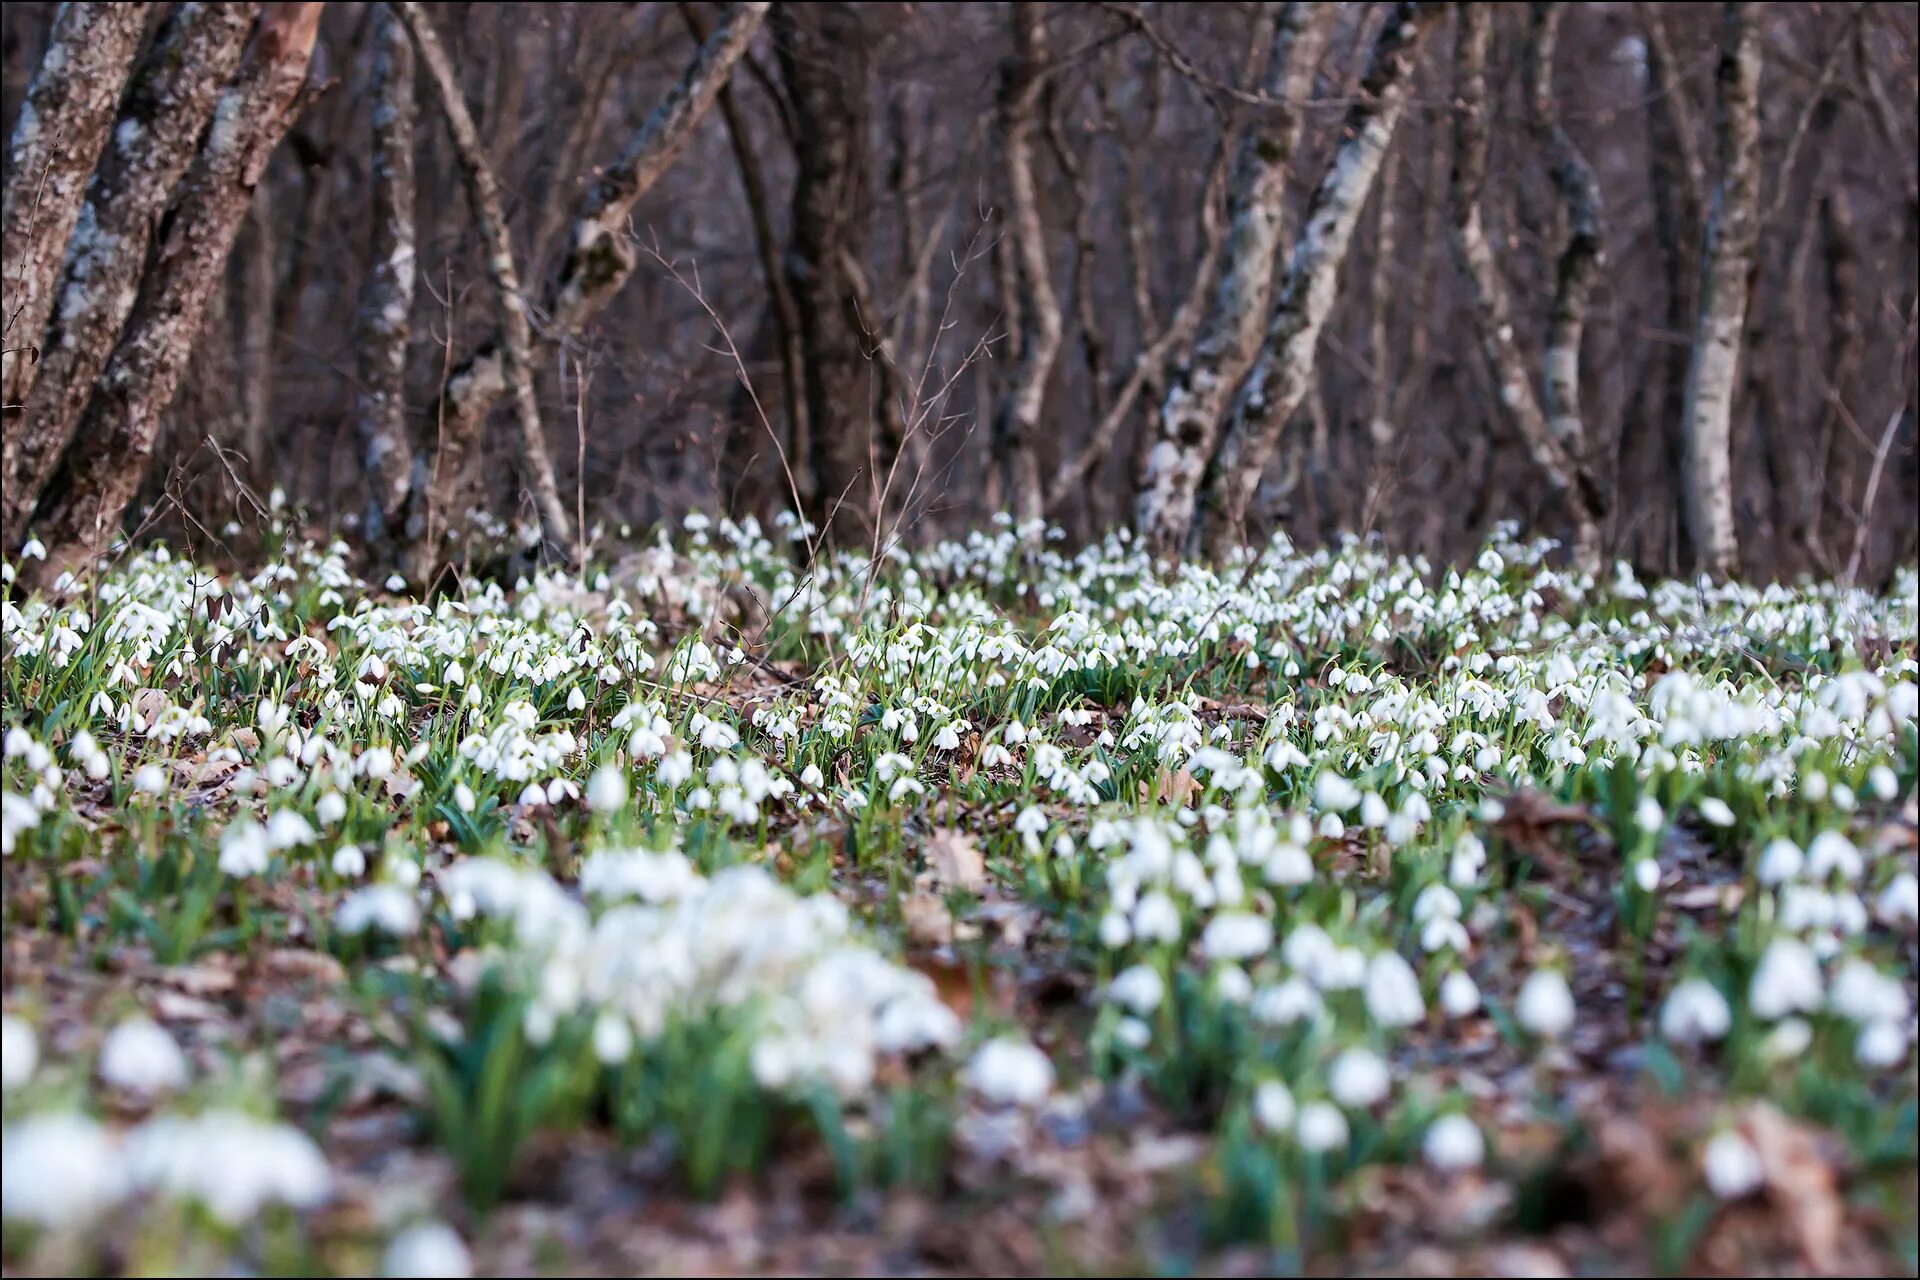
{"points": [[1491, 304]]}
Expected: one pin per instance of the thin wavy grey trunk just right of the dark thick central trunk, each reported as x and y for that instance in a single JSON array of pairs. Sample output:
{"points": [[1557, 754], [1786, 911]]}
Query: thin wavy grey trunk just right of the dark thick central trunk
{"points": [[1040, 339]]}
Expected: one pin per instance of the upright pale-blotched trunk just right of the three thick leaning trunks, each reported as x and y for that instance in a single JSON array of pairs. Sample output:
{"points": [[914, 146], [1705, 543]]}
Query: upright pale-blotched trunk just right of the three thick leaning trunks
{"points": [[387, 298]]}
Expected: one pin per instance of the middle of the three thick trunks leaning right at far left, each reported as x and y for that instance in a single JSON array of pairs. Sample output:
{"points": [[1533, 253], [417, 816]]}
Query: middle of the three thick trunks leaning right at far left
{"points": [[170, 99]]}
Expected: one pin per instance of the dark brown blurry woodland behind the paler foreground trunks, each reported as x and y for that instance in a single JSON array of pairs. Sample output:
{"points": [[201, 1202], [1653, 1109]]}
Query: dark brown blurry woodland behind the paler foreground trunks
{"points": [[905, 112]]}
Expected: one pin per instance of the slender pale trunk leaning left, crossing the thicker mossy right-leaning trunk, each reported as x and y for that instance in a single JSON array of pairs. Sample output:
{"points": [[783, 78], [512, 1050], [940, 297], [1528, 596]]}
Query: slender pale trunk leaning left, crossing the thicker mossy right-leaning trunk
{"points": [[516, 331]]}
